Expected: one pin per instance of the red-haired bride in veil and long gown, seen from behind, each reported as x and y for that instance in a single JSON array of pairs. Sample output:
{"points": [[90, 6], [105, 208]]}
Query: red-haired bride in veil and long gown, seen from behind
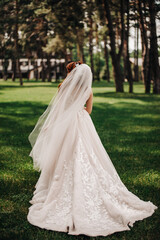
{"points": [[79, 190]]}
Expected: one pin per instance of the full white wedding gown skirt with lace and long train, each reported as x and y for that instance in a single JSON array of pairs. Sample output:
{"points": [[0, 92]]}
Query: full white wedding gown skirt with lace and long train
{"points": [[80, 192]]}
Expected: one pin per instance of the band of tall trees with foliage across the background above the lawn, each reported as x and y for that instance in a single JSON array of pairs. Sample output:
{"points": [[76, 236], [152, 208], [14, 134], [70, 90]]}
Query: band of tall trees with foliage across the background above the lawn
{"points": [[94, 31]]}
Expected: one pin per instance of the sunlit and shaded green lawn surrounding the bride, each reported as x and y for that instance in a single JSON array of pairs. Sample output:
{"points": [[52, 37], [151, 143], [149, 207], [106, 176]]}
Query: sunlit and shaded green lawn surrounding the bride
{"points": [[129, 127]]}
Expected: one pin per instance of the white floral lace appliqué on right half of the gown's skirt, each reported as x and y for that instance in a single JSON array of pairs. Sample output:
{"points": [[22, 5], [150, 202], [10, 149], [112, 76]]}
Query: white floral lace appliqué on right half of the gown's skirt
{"points": [[103, 205]]}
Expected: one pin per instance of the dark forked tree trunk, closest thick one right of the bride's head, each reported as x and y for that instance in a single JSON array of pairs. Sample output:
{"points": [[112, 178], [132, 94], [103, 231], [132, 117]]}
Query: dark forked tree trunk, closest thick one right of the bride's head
{"points": [[118, 75]]}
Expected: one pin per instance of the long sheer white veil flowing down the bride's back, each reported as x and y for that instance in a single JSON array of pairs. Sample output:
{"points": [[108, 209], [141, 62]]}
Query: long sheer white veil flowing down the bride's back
{"points": [[48, 134]]}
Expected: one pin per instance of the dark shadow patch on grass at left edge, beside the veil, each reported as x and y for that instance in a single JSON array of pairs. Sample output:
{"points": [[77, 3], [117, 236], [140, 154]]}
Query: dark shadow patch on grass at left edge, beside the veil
{"points": [[17, 121]]}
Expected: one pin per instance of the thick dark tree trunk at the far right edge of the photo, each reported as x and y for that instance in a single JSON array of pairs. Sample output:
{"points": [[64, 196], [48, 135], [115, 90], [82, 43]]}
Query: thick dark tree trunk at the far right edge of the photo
{"points": [[154, 49]]}
